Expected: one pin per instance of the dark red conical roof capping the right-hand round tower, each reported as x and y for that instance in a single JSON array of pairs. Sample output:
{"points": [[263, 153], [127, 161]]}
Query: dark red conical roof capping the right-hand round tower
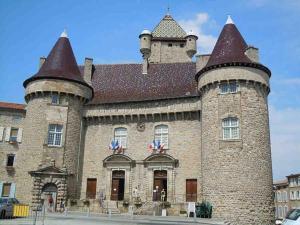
{"points": [[230, 51]]}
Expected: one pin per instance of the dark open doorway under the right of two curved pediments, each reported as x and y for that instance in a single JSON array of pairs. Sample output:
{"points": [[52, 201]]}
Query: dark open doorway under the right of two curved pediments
{"points": [[160, 184]]}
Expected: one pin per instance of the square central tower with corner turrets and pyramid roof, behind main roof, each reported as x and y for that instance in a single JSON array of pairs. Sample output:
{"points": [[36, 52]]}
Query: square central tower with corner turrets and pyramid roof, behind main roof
{"points": [[168, 43]]}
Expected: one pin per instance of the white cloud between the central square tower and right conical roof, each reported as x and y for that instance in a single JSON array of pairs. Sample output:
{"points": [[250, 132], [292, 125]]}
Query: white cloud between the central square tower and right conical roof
{"points": [[206, 42]]}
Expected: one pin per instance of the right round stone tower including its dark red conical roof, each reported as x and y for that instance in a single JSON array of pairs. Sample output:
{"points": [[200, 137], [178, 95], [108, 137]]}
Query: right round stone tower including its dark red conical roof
{"points": [[236, 153]]}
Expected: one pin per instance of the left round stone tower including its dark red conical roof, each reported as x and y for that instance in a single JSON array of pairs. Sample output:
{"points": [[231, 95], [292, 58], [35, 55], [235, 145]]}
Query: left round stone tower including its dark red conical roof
{"points": [[55, 97]]}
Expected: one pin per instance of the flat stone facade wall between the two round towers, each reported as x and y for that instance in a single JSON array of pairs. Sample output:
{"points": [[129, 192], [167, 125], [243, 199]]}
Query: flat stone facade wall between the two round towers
{"points": [[184, 145]]}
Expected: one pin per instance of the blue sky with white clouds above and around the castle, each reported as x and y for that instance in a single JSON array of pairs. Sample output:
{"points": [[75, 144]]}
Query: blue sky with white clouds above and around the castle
{"points": [[108, 32]]}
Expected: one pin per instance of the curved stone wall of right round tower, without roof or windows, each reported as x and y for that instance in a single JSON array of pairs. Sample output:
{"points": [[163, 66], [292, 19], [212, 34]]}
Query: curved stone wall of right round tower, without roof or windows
{"points": [[237, 174]]}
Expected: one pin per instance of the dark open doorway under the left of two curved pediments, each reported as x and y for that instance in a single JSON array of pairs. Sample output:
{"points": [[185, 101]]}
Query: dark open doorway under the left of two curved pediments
{"points": [[118, 185]]}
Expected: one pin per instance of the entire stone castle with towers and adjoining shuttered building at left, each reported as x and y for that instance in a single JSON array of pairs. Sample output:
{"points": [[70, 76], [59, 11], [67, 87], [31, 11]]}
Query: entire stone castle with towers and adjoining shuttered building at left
{"points": [[167, 129]]}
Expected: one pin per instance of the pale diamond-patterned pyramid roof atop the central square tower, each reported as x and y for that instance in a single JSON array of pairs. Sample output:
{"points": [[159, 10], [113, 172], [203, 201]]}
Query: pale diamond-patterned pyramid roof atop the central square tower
{"points": [[168, 28]]}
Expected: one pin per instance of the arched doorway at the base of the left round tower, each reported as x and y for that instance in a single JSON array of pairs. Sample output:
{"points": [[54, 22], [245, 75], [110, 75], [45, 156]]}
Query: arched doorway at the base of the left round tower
{"points": [[49, 196]]}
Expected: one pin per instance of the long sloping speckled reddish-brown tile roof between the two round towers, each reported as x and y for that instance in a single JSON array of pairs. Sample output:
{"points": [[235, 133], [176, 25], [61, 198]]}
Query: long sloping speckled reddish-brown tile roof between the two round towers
{"points": [[126, 83]]}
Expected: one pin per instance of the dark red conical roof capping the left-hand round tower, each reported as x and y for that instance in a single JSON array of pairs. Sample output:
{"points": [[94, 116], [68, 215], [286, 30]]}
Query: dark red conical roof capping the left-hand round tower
{"points": [[60, 64]]}
